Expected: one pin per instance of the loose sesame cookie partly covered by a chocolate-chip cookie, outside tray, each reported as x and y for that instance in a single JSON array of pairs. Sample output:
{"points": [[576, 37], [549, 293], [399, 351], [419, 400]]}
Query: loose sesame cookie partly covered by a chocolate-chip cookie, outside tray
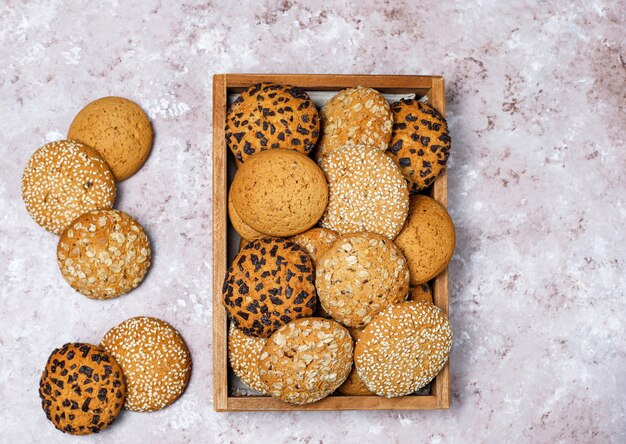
{"points": [[155, 360]]}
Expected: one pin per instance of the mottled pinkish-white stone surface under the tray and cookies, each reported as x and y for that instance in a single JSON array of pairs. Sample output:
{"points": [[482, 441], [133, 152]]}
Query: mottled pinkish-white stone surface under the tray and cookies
{"points": [[536, 105]]}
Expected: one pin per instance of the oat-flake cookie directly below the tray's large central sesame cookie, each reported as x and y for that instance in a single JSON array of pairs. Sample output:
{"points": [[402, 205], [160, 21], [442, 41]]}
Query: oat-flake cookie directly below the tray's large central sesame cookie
{"points": [[360, 275]]}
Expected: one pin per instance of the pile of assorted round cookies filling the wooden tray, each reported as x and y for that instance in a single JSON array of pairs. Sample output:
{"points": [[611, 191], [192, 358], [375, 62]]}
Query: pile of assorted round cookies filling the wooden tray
{"points": [[330, 289]]}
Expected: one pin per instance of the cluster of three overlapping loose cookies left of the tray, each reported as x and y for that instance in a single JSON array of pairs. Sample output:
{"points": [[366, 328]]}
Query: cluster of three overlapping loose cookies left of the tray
{"points": [[69, 188]]}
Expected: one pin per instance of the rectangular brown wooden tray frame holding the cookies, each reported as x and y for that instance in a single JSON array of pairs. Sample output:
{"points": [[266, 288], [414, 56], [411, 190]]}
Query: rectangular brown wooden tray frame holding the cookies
{"points": [[223, 167]]}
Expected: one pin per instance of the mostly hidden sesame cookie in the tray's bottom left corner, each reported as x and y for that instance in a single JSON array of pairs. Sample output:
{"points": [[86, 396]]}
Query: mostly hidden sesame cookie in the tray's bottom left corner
{"points": [[243, 355]]}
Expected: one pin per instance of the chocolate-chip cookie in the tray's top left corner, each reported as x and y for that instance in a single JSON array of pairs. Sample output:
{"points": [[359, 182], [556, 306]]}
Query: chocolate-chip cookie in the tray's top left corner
{"points": [[269, 115]]}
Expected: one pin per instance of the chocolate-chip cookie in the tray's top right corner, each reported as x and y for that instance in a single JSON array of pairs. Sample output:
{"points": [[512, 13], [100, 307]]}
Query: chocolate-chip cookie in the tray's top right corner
{"points": [[420, 142]]}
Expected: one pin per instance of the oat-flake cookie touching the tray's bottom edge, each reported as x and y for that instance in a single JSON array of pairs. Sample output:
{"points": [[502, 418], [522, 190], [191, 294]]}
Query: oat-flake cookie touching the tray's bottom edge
{"points": [[306, 360]]}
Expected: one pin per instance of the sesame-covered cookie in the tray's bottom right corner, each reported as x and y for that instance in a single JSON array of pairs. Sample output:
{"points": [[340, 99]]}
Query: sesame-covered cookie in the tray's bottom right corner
{"points": [[403, 348]]}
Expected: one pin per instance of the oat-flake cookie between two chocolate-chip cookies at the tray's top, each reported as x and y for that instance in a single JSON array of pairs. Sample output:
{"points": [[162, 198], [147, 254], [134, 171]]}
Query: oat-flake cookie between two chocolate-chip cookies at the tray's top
{"points": [[355, 116]]}
